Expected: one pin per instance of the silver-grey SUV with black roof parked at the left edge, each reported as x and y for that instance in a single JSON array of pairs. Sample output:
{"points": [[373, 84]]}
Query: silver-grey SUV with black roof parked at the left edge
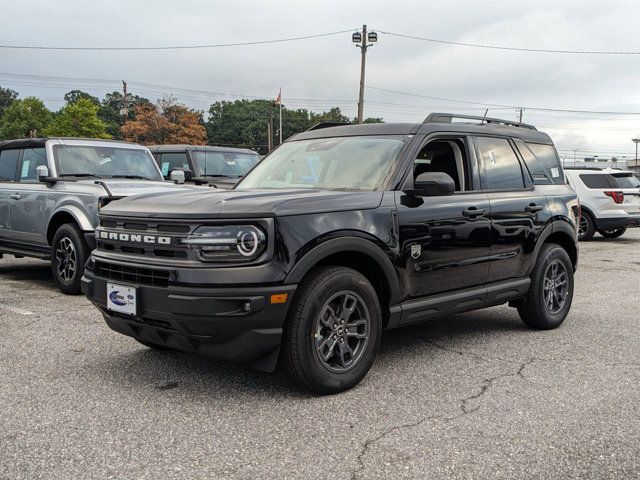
{"points": [[50, 192]]}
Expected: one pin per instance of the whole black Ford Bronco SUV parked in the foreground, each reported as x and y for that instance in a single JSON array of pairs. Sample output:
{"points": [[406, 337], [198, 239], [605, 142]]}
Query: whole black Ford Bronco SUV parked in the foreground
{"points": [[339, 234]]}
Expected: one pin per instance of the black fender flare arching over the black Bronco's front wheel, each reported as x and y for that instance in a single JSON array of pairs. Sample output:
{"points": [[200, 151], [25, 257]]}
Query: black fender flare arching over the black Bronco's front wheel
{"points": [[345, 244]]}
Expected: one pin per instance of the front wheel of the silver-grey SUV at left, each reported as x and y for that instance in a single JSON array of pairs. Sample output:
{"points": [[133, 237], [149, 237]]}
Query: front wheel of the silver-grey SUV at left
{"points": [[69, 253]]}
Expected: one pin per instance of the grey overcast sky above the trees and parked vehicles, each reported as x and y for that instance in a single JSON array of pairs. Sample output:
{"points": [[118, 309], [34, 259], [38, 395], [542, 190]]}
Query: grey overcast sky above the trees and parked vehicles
{"points": [[323, 72]]}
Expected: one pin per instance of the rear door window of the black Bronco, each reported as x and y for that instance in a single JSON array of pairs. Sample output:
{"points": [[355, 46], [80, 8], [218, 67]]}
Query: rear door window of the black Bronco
{"points": [[502, 169]]}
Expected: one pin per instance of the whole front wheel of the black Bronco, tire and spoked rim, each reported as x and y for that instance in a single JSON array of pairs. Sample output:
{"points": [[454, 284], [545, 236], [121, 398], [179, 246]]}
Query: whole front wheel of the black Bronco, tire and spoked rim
{"points": [[314, 330]]}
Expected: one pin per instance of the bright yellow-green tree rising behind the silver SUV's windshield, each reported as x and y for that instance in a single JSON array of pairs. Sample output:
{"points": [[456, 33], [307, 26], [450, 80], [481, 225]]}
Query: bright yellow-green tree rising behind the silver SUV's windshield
{"points": [[78, 119]]}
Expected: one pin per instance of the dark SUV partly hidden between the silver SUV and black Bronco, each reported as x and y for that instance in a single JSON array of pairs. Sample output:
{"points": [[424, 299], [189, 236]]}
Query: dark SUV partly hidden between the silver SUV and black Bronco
{"points": [[219, 167]]}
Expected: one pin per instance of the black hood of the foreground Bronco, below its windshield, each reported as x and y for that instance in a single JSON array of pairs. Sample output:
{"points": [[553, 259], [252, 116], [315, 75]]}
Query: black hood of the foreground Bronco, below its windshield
{"points": [[213, 203]]}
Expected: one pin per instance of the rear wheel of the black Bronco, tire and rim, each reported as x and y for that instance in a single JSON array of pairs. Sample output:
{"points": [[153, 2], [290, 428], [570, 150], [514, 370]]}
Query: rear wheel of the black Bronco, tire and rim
{"points": [[535, 310]]}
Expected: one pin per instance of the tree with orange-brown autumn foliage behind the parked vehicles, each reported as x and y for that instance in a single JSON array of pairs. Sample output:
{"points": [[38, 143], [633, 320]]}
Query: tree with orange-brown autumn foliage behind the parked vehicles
{"points": [[165, 122]]}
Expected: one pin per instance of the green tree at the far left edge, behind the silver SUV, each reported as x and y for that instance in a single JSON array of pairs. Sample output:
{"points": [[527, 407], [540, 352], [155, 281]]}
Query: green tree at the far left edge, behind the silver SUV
{"points": [[24, 118]]}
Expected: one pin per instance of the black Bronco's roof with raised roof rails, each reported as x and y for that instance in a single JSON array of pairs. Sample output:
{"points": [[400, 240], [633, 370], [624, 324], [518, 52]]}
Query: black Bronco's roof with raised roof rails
{"points": [[440, 122]]}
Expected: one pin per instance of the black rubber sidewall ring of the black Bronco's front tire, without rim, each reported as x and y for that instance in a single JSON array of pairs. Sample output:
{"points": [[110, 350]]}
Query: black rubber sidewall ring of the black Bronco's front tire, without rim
{"points": [[319, 375]]}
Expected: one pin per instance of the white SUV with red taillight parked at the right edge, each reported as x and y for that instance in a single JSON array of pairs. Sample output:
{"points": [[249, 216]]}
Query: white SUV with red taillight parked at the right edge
{"points": [[610, 201]]}
